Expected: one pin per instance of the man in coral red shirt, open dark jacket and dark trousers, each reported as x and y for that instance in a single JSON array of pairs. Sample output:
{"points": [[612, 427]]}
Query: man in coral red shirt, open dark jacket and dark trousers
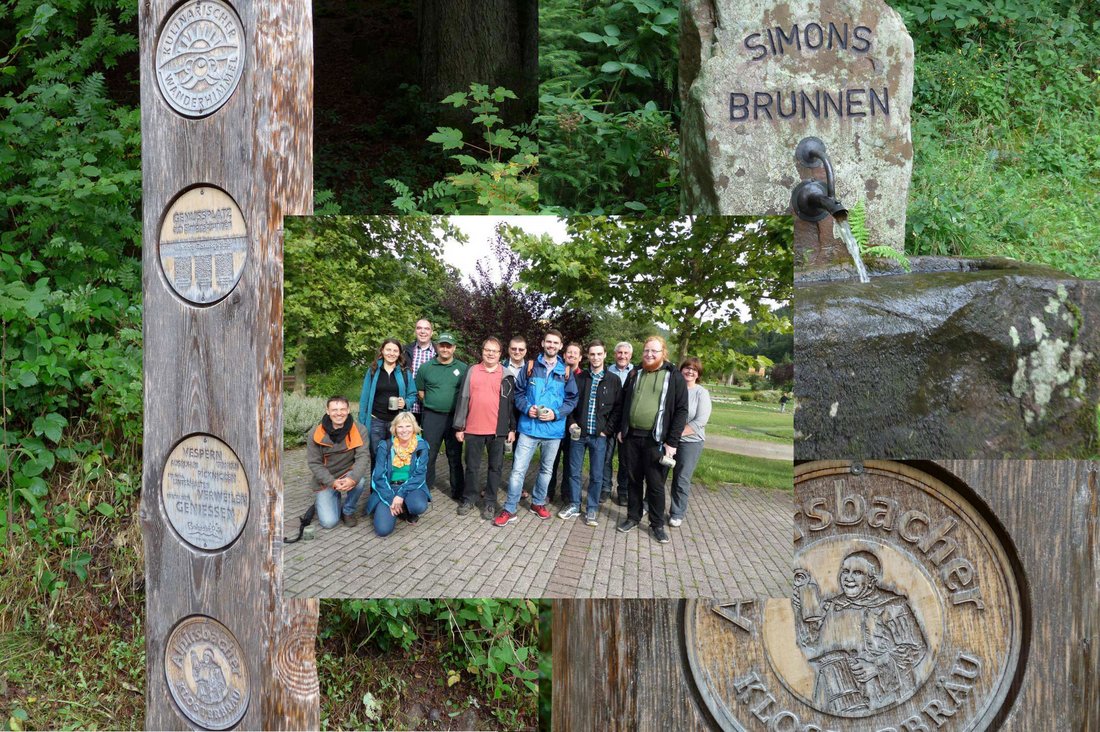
{"points": [[485, 420]]}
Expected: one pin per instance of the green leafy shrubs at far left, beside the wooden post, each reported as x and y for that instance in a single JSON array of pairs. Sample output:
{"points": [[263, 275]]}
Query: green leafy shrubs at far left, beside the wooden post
{"points": [[70, 278]]}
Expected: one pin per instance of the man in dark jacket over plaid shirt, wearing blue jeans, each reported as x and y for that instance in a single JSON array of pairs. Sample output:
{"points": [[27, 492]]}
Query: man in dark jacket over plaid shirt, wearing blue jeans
{"points": [[592, 425]]}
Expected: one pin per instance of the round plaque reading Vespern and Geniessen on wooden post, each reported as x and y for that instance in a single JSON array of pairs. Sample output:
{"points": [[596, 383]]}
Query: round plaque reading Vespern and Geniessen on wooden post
{"points": [[205, 493]]}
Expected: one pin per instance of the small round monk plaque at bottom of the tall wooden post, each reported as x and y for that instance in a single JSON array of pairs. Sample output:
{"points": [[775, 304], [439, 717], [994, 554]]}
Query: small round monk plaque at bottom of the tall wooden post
{"points": [[206, 673]]}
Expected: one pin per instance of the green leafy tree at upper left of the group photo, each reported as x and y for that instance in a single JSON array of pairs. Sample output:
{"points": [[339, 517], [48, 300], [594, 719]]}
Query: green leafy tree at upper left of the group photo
{"points": [[350, 283]]}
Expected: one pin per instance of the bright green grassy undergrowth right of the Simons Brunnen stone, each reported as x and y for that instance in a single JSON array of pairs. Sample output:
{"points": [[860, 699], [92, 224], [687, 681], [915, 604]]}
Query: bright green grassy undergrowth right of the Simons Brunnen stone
{"points": [[1007, 132]]}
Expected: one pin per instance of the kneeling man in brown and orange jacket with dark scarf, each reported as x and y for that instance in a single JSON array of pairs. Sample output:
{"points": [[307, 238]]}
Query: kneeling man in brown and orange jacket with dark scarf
{"points": [[338, 458]]}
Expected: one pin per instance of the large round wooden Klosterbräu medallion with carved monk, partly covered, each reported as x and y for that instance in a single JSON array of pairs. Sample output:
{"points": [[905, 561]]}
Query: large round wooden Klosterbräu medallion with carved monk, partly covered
{"points": [[906, 615]]}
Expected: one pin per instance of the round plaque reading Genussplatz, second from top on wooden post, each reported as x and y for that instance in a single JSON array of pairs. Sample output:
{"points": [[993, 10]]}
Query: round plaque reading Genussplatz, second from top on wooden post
{"points": [[204, 244]]}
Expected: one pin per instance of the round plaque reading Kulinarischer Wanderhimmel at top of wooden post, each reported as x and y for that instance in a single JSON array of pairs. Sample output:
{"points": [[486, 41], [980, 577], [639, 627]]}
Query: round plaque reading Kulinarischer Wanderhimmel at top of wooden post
{"points": [[201, 58]]}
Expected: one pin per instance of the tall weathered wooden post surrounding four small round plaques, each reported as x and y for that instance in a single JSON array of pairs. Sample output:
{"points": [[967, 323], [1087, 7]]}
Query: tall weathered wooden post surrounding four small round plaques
{"points": [[218, 370]]}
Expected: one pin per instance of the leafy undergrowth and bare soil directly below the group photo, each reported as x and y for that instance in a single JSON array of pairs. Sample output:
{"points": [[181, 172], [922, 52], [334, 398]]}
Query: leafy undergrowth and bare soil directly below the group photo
{"points": [[431, 664]]}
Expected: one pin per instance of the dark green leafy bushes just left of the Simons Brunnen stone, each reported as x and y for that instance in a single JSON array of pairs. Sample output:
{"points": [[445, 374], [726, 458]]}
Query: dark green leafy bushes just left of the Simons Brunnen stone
{"points": [[609, 113]]}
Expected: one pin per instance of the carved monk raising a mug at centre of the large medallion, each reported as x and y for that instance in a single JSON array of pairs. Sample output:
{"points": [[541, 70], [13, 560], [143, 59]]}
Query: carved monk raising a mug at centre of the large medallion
{"points": [[865, 643]]}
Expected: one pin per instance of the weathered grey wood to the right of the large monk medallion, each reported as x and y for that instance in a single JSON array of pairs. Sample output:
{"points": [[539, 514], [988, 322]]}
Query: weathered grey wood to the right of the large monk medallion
{"points": [[1049, 509]]}
